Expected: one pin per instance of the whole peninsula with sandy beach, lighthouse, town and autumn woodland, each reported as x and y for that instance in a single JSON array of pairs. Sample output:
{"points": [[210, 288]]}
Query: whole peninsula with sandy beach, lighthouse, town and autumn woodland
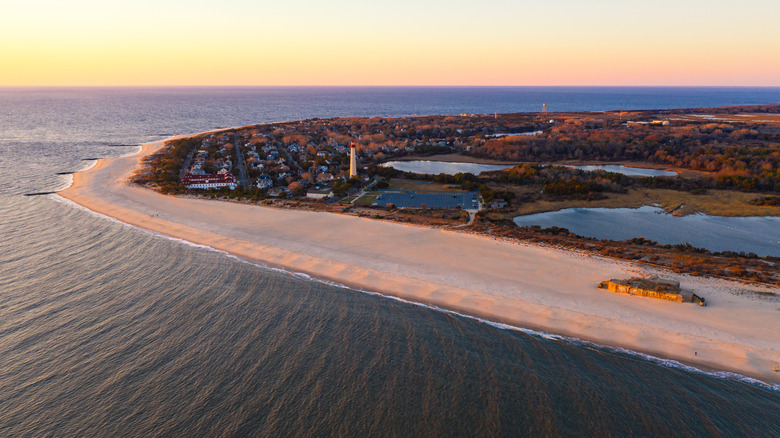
{"points": [[285, 195]]}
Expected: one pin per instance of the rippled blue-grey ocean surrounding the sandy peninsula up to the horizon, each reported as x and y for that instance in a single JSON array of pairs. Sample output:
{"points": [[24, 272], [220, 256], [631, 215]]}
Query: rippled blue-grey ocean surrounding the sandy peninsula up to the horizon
{"points": [[108, 330]]}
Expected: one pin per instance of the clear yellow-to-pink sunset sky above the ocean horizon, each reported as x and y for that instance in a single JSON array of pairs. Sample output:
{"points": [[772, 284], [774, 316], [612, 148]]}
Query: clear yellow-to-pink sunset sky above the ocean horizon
{"points": [[405, 42]]}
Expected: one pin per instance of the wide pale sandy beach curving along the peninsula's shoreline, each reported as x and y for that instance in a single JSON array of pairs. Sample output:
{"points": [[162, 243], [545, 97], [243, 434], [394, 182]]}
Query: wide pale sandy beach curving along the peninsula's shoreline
{"points": [[519, 284]]}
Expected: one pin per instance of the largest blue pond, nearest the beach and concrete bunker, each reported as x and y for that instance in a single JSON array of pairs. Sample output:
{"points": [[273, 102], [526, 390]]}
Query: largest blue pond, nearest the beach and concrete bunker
{"points": [[759, 235]]}
